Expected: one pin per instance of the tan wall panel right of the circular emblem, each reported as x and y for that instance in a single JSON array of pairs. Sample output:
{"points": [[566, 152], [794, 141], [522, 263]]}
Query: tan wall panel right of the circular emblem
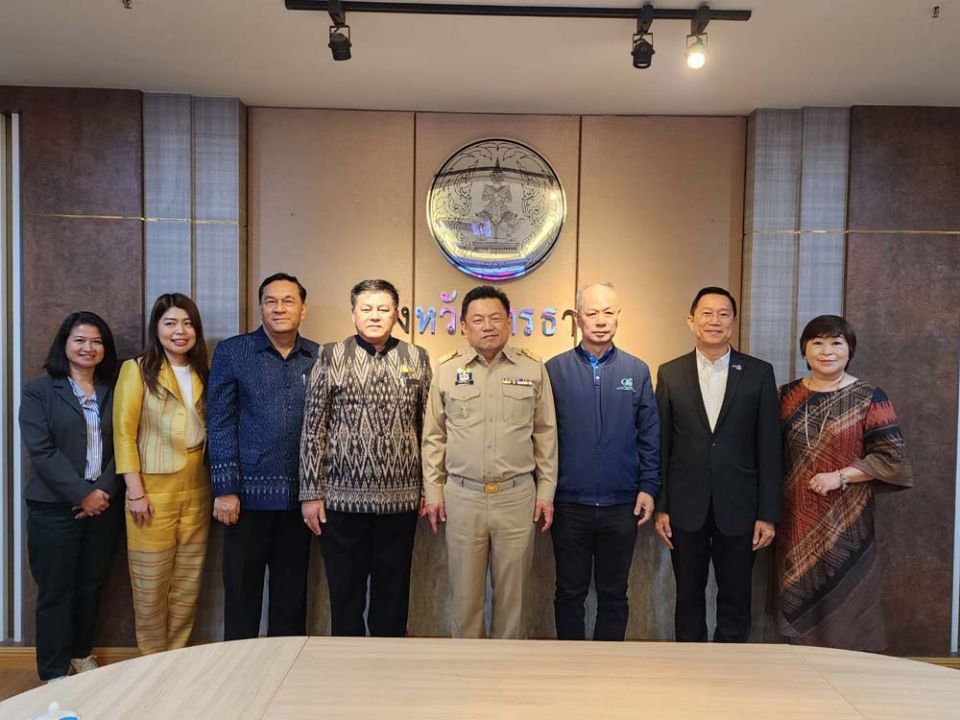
{"points": [[661, 215]]}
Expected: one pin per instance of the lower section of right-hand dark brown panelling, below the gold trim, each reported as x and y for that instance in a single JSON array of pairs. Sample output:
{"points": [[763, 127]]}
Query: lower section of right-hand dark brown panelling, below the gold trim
{"points": [[903, 292]]}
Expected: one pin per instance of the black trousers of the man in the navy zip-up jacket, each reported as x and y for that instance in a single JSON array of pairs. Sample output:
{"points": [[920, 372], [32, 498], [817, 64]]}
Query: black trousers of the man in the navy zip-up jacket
{"points": [[601, 538]]}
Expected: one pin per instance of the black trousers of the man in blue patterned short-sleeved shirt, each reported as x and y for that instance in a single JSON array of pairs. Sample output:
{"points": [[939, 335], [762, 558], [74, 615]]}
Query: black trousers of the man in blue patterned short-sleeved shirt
{"points": [[261, 539]]}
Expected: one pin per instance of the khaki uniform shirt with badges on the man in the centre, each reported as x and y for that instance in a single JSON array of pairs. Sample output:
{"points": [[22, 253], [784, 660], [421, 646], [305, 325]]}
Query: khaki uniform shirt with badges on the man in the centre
{"points": [[490, 423]]}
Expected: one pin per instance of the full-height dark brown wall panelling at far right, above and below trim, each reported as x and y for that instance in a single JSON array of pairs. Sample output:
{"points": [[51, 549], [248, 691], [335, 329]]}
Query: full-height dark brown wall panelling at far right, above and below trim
{"points": [[902, 294]]}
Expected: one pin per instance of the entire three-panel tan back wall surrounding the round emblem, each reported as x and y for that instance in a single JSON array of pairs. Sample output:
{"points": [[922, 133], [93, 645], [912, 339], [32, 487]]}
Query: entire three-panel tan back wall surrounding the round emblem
{"points": [[309, 178]]}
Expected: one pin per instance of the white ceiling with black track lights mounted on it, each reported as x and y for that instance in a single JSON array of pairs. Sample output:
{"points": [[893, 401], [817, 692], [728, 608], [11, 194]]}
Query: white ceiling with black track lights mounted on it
{"points": [[792, 53]]}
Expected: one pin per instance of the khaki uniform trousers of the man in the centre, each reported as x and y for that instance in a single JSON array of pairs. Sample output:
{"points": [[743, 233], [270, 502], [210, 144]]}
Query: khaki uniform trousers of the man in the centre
{"points": [[496, 528]]}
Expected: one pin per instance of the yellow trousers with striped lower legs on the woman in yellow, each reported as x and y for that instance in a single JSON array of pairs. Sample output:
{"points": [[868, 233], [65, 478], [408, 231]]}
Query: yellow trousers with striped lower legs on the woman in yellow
{"points": [[166, 557]]}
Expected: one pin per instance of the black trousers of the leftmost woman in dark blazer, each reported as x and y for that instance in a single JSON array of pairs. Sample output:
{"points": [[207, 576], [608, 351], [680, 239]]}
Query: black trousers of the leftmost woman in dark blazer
{"points": [[70, 560]]}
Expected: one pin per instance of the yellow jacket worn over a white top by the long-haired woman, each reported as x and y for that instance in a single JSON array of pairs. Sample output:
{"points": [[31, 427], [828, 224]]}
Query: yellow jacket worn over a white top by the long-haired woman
{"points": [[149, 428]]}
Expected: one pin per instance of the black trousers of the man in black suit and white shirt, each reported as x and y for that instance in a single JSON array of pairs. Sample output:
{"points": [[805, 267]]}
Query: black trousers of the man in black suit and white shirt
{"points": [[732, 558]]}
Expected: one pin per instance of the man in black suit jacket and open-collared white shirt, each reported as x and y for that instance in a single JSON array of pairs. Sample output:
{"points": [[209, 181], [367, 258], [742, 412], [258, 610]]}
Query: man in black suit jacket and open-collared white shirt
{"points": [[721, 469]]}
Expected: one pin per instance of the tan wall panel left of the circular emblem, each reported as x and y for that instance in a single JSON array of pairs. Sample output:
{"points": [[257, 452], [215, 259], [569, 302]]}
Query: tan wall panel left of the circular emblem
{"points": [[331, 201]]}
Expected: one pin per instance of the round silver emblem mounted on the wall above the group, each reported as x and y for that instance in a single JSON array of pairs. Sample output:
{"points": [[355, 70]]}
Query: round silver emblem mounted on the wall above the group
{"points": [[496, 209]]}
